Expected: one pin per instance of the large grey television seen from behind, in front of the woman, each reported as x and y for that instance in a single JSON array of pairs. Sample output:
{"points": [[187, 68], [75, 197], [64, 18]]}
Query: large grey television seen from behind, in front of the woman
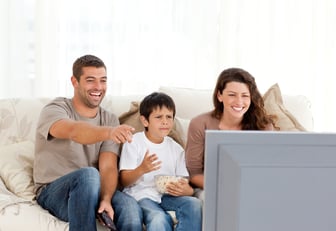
{"points": [[269, 181]]}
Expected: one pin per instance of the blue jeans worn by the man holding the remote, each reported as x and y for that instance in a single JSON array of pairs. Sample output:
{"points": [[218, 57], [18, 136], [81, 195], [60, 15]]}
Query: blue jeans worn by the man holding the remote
{"points": [[74, 198]]}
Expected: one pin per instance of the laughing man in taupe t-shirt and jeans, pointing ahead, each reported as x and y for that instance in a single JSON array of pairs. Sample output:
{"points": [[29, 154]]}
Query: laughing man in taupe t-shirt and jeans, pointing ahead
{"points": [[76, 154]]}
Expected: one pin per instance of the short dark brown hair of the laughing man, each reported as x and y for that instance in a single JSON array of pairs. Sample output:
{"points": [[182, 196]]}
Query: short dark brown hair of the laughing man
{"points": [[86, 61]]}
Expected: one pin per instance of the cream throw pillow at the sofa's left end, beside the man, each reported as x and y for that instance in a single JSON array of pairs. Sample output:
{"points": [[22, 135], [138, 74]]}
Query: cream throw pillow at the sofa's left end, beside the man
{"points": [[16, 168]]}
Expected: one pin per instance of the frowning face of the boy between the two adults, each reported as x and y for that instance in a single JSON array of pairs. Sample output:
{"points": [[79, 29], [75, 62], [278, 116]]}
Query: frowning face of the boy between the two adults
{"points": [[159, 124]]}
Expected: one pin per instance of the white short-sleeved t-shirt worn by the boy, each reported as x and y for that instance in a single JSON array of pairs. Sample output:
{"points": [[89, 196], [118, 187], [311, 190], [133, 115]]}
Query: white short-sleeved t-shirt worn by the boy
{"points": [[169, 152]]}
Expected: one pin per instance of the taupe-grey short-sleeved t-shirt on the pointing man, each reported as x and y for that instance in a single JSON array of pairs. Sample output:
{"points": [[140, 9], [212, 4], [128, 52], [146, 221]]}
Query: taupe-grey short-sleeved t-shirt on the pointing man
{"points": [[57, 157]]}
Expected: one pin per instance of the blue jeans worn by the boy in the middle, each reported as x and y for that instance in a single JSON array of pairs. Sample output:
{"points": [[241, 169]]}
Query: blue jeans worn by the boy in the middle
{"points": [[188, 212]]}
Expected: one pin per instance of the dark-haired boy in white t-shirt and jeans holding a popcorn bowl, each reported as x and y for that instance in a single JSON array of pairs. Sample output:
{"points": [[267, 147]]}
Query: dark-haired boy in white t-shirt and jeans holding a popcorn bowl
{"points": [[151, 153]]}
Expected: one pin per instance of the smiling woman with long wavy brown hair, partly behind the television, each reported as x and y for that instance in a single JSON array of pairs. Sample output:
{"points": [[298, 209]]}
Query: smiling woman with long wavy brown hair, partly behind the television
{"points": [[238, 105]]}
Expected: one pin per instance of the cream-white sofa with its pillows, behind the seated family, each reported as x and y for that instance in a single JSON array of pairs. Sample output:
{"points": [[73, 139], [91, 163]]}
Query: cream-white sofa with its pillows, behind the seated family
{"points": [[18, 118]]}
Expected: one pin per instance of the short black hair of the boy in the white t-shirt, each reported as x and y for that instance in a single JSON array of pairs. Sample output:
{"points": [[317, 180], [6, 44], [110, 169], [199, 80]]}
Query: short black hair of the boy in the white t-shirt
{"points": [[154, 100]]}
